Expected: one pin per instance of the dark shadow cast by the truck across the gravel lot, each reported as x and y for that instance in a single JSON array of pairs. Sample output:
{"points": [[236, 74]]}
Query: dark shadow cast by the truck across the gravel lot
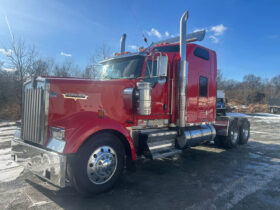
{"points": [[202, 177]]}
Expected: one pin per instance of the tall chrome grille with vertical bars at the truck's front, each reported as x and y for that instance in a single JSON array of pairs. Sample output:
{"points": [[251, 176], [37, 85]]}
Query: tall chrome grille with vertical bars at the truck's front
{"points": [[33, 115]]}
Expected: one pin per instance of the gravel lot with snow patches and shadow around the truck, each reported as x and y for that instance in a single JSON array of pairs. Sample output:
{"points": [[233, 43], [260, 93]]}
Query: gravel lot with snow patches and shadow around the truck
{"points": [[204, 177]]}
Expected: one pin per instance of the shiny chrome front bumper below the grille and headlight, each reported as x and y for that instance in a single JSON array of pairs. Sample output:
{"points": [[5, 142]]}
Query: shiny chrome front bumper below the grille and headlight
{"points": [[49, 165]]}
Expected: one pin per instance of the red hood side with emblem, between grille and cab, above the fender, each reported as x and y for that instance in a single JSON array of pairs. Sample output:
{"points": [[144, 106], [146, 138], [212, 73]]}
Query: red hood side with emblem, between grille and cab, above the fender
{"points": [[71, 96]]}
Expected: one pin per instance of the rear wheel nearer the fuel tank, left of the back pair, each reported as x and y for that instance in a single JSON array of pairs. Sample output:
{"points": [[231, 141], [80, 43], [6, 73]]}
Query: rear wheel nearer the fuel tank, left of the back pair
{"points": [[231, 140]]}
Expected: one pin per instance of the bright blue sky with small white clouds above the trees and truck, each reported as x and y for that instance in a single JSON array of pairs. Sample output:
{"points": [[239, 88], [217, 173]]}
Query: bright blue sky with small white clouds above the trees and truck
{"points": [[245, 34]]}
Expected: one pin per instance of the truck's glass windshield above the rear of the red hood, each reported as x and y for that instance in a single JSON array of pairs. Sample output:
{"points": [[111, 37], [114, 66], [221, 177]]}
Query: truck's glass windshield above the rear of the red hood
{"points": [[122, 68]]}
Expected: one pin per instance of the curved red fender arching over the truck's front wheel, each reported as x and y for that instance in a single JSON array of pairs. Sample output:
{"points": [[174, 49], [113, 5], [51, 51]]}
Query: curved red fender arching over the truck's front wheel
{"points": [[89, 124]]}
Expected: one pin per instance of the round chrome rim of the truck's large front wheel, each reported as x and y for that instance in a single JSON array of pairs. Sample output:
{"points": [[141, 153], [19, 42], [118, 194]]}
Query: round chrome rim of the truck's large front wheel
{"points": [[102, 165]]}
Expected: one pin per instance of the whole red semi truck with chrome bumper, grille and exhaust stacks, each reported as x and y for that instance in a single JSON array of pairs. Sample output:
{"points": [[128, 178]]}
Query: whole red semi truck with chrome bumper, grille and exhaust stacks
{"points": [[154, 103]]}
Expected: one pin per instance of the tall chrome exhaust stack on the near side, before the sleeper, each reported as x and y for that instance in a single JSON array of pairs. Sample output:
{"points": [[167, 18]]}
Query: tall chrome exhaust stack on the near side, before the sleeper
{"points": [[183, 71]]}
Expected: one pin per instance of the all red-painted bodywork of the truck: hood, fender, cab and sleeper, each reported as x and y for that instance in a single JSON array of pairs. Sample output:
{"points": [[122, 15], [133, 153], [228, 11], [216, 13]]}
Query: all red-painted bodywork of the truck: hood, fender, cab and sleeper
{"points": [[79, 116]]}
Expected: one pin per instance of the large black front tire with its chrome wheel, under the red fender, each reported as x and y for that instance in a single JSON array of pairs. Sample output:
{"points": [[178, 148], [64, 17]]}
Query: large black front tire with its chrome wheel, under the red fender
{"points": [[97, 165]]}
